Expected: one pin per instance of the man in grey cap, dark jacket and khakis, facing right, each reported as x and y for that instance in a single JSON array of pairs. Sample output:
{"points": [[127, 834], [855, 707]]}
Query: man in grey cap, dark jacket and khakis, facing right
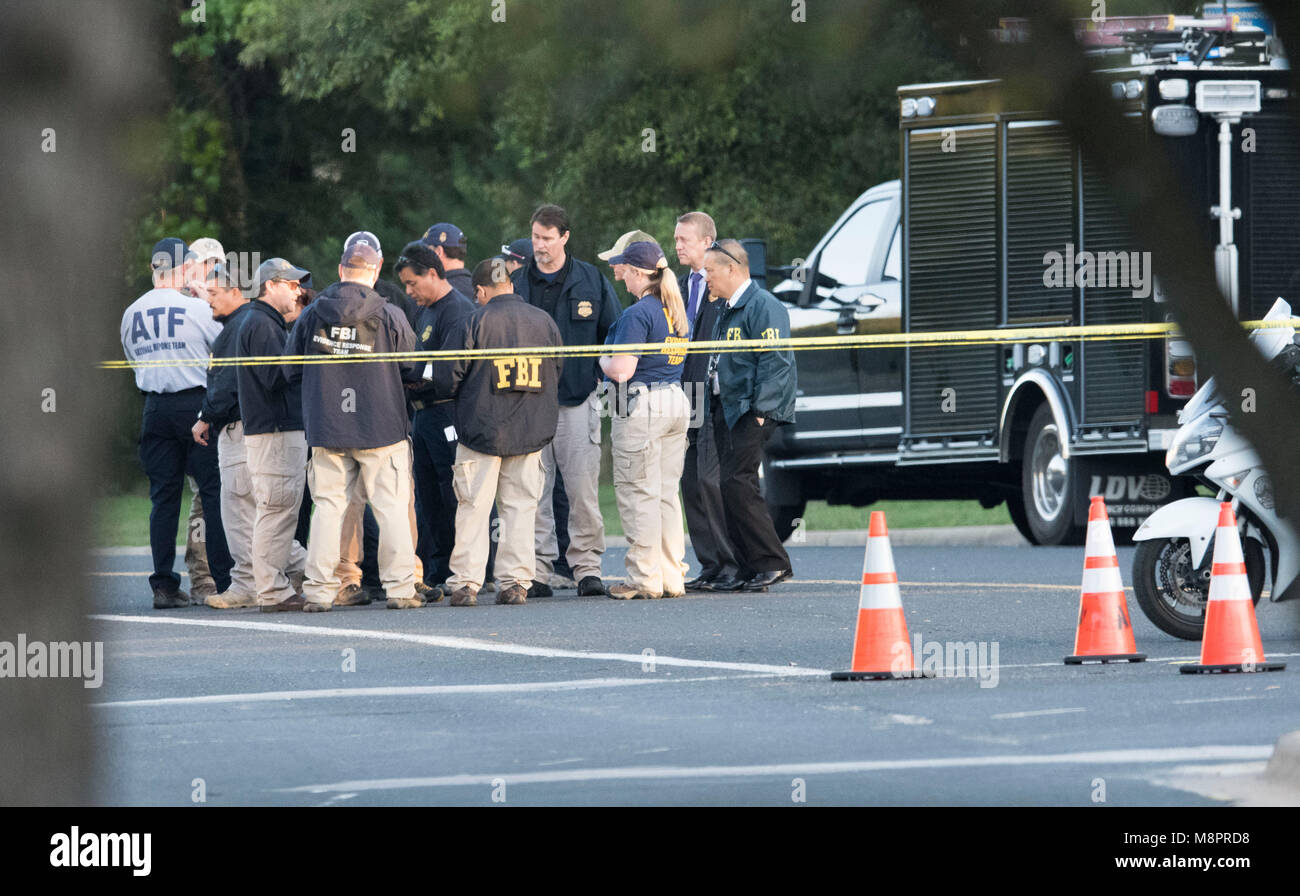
{"points": [[272, 410]]}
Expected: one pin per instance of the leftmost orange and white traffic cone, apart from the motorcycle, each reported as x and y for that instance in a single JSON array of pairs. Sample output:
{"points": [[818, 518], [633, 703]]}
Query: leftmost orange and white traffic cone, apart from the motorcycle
{"points": [[881, 647]]}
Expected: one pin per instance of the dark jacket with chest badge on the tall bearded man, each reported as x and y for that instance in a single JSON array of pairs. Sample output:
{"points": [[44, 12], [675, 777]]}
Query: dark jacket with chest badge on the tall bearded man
{"points": [[584, 313]]}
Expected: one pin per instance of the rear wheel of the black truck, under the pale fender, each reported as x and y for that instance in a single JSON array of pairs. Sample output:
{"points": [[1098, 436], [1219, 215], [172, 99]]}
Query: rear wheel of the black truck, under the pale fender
{"points": [[1048, 484]]}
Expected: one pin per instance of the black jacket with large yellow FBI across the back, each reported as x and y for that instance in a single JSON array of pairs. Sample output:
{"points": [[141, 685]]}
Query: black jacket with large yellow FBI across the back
{"points": [[505, 406]]}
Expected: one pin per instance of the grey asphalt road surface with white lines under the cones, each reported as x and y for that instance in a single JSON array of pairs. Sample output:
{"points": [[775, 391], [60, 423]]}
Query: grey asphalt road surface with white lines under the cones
{"points": [[696, 702]]}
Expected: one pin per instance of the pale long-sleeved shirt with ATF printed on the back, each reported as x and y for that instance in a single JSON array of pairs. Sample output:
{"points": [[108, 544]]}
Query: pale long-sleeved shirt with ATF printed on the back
{"points": [[167, 324]]}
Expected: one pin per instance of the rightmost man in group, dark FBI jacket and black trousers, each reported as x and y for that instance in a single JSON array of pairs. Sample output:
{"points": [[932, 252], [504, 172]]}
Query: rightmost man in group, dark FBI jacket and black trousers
{"points": [[751, 395]]}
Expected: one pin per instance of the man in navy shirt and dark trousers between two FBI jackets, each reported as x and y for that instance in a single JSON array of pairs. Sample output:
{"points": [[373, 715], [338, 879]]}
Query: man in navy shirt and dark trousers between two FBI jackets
{"points": [[434, 432]]}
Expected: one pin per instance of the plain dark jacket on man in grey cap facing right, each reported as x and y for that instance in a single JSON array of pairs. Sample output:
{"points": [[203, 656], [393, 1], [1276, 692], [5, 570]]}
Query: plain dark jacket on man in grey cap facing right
{"points": [[268, 401]]}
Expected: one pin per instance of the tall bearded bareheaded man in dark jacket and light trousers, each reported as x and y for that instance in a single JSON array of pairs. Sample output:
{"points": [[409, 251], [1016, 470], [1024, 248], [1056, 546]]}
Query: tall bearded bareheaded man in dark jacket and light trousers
{"points": [[583, 305]]}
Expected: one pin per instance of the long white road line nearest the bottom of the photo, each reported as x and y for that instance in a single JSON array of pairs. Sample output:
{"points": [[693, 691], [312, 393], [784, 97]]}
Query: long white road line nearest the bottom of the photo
{"points": [[1236, 754]]}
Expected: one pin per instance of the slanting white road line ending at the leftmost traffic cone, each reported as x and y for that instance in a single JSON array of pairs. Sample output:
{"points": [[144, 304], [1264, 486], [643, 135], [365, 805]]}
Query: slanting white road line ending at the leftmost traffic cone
{"points": [[469, 644]]}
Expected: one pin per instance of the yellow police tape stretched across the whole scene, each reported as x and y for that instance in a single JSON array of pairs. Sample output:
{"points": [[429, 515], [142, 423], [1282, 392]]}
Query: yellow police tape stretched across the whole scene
{"points": [[1024, 335]]}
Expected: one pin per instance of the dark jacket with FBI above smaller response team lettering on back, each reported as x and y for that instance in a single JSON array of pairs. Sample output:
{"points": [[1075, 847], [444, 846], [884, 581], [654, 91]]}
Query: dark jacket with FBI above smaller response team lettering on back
{"points": [[353, 405]]}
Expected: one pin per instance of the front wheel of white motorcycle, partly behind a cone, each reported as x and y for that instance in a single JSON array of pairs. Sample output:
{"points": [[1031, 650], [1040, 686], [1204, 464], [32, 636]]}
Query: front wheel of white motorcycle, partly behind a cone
{"points": [[1173, 594]]}
